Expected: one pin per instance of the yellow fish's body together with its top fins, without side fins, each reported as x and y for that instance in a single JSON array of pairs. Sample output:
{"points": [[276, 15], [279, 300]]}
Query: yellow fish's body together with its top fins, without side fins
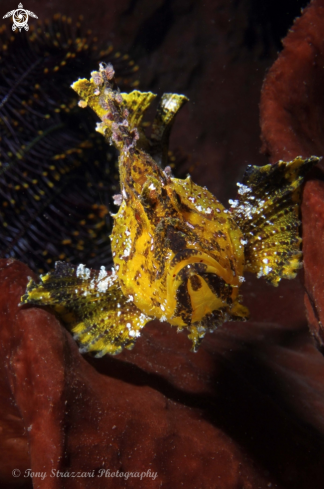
{"points": [[177, 252]]}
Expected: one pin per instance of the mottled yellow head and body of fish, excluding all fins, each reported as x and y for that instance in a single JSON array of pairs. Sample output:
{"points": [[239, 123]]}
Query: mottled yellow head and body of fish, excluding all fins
{"points": [[165, 226]]}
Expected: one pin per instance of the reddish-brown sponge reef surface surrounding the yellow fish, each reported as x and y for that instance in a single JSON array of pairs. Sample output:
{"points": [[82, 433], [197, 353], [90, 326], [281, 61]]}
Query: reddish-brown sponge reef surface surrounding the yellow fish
{"points": [[246, 410]]}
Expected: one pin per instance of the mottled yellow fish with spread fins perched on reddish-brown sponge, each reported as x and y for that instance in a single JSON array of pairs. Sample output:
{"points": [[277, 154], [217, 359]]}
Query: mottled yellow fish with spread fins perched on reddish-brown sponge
{"points": [[179, 255]]}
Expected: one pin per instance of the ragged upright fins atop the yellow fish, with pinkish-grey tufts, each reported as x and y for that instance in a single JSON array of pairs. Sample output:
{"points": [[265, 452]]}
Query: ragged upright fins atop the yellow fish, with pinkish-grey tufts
{"points": [[121, 114]]}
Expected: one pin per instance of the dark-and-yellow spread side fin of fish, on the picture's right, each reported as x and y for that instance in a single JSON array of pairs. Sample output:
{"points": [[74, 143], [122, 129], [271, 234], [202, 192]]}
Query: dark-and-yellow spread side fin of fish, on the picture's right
{"points": [[267, 212]]}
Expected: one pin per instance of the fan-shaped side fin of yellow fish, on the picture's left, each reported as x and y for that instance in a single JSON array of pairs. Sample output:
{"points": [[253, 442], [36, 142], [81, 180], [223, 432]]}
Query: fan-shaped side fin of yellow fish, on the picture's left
{"points": [[92, 305]]}
